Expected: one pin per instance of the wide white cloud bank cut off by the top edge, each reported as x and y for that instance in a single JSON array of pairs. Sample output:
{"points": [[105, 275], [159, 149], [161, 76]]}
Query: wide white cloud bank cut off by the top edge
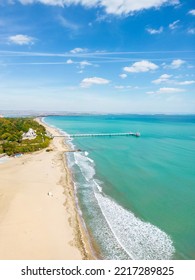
{"points": [[117, 7]]}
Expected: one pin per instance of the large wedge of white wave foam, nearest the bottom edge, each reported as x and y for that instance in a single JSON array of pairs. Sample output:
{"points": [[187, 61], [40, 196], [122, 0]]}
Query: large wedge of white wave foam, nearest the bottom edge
{"points": [[139, 239]]}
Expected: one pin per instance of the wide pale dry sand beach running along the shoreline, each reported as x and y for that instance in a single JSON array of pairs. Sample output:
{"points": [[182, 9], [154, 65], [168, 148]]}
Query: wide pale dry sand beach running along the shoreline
{"points": [[38, 218]]}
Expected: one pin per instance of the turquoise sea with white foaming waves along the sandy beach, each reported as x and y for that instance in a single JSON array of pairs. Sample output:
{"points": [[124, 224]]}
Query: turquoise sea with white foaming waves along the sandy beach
{"points": [[136, 195]]}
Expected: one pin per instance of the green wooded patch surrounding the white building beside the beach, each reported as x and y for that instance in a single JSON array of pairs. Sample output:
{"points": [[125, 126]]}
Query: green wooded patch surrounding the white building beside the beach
{"points": [[11, 140]]}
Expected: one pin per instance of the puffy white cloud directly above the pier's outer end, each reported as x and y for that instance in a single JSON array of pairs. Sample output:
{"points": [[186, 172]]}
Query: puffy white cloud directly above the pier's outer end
{"points": [[141, 66]]}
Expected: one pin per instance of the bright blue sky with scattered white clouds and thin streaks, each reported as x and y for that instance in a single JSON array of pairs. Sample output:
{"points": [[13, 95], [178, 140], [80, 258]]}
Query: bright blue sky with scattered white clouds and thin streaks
{"points": [[104, 56]]}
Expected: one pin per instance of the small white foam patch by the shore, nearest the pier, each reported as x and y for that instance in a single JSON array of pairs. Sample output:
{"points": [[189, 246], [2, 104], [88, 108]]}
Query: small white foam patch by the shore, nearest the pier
{"points": [[86, 165]]}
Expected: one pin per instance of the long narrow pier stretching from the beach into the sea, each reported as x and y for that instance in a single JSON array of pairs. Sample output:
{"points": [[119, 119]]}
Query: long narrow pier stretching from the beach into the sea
{"points": [[136, 134]]}
